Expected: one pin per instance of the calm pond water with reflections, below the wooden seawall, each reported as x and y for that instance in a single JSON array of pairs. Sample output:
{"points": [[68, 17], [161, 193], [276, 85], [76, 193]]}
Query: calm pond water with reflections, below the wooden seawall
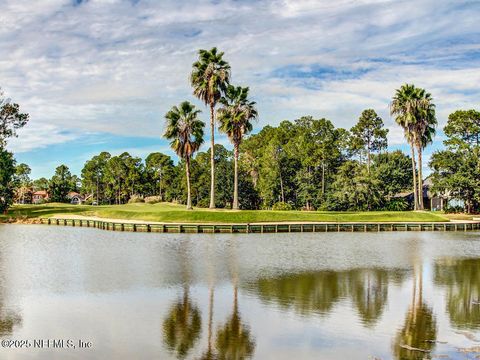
{"points": [[276, 296]]}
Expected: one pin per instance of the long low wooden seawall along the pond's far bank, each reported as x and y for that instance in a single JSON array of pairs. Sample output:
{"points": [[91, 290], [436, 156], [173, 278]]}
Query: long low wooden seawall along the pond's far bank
{"points": [[264, 228]]}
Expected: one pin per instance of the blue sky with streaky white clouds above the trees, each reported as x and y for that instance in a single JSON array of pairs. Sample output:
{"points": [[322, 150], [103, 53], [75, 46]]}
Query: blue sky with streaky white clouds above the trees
{"points": [[100, 74]]}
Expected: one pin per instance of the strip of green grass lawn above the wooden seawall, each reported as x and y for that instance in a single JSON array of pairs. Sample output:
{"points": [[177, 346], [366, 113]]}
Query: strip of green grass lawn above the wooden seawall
{"points": [[166, 212]]}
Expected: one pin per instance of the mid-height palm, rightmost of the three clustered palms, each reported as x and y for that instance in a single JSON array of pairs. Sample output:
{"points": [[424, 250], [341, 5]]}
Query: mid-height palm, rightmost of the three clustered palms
{"points": [[235, 118]]}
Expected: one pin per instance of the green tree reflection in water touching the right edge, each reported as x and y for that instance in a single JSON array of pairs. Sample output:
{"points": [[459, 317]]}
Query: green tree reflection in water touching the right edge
{"points": [[461, 277]]}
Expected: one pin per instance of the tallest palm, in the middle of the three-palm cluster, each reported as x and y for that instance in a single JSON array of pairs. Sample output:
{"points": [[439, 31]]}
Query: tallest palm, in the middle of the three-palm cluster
{"points": [[209, 79]]}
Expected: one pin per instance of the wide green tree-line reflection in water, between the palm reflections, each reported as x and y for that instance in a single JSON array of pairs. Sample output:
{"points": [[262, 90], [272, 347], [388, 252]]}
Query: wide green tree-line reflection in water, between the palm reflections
{"points": [[318, 292]]}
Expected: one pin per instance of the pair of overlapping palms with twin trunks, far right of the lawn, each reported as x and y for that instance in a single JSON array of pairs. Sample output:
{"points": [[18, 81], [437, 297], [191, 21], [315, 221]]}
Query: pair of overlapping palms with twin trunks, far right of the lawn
{"points": [[415, 113]]}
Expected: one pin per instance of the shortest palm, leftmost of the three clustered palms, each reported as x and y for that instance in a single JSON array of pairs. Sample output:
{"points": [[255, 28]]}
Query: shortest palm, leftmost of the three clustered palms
{"points": [[185, 130]]}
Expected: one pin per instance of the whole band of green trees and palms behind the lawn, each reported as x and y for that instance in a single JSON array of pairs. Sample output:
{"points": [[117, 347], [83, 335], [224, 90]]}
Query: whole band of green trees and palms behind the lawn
{"points": [[306, 164]]}
